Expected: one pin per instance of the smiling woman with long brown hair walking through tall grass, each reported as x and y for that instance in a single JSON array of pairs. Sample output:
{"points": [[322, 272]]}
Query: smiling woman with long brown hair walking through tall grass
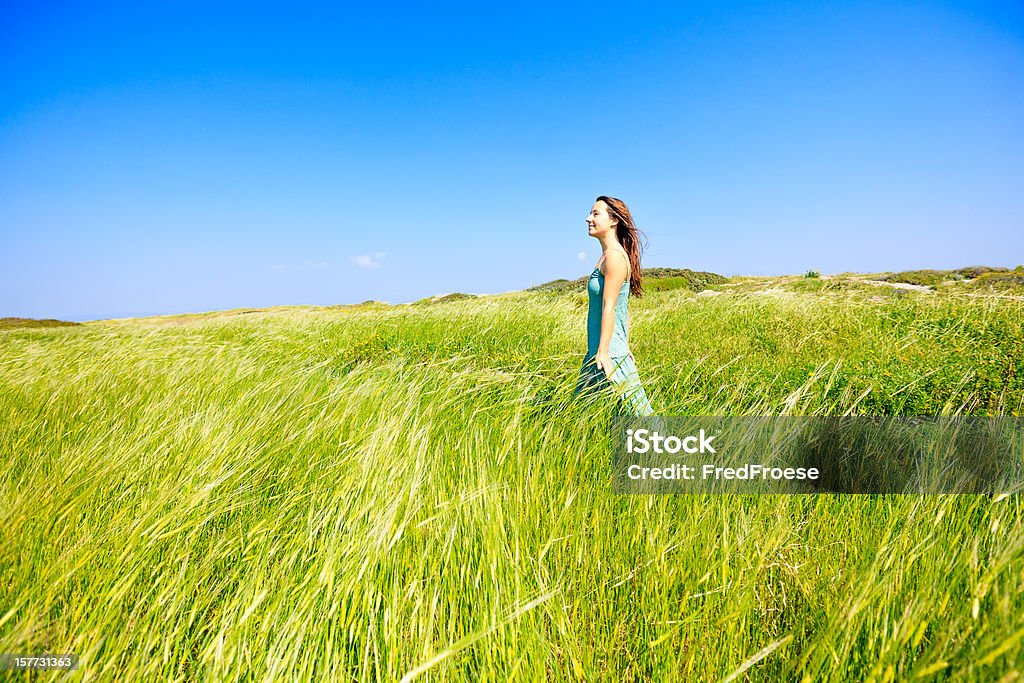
{"points": [[609, 362]]}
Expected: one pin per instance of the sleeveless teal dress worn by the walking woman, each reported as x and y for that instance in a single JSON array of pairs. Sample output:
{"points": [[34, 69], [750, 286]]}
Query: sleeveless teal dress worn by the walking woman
{"points": [[625, 380]]}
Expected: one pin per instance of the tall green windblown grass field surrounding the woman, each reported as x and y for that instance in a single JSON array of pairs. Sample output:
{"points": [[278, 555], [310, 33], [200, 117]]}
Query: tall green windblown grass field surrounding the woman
{"points": [[397, 493]]}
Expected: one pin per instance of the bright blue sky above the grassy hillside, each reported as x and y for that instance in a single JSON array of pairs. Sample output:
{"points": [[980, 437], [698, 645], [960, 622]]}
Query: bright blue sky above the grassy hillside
{"points": [[189, 158]]}
